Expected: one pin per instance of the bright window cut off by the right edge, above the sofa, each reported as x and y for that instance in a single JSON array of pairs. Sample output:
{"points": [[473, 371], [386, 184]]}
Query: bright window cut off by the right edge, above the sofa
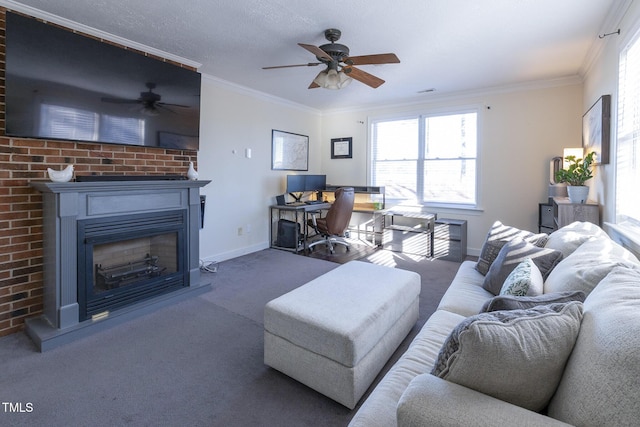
{"points": [[628, 137]]}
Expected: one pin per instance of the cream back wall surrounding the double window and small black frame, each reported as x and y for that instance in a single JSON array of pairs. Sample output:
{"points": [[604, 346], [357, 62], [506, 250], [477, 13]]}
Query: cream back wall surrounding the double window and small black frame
{"points": [[521, 130]]}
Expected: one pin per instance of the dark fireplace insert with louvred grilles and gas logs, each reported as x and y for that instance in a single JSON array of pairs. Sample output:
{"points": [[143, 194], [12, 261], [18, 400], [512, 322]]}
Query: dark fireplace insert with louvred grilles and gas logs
{"points": [[129, 258]]}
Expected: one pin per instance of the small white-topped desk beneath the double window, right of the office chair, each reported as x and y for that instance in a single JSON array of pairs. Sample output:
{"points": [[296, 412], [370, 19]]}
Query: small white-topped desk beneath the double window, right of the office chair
{"points": [[408, 230]]}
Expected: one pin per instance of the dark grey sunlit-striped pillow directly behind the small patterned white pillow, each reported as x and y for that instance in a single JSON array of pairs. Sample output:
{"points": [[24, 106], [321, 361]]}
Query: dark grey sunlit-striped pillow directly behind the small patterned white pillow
{"points": [[512, 254]]}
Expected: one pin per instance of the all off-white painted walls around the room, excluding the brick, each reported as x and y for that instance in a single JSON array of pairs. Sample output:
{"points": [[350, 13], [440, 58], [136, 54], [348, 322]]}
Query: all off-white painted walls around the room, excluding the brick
{"points": [[523, 129]]}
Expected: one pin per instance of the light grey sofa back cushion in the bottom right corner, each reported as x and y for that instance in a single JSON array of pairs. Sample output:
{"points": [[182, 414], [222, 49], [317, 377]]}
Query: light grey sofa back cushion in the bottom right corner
{"points": [[600, 385]]}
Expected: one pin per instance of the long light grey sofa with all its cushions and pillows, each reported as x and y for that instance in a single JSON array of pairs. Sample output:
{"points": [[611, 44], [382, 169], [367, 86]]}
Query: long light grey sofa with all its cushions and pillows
{"points": [[565, 353]]}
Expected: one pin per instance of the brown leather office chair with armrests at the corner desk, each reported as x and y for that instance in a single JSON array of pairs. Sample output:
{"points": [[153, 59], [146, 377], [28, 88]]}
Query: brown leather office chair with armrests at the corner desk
{"points": [[334, 224]]}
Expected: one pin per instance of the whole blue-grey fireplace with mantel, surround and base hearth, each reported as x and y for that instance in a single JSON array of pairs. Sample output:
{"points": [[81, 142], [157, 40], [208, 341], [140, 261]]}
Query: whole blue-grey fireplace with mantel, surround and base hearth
{"points": [[114, 250]]}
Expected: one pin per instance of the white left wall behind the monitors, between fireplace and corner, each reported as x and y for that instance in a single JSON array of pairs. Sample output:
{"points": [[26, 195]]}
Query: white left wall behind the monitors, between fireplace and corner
{"points": [[241, 189]]}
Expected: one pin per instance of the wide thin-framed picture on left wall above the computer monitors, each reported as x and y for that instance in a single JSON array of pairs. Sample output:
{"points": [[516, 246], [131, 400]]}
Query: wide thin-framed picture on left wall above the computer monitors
{"points": [[289, 151]]}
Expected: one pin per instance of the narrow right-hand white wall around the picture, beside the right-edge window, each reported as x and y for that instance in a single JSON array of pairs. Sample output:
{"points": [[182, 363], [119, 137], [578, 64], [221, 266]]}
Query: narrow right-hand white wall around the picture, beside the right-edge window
{"points": [[601, 79]]}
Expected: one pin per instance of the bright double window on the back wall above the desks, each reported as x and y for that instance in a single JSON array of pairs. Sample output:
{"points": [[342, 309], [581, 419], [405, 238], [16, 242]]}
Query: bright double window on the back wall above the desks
{"points": [[427, 159]]}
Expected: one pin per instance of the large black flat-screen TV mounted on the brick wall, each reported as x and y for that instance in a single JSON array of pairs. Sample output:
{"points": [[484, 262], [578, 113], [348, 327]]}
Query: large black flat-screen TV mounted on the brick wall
{"points": [[66, 86]]}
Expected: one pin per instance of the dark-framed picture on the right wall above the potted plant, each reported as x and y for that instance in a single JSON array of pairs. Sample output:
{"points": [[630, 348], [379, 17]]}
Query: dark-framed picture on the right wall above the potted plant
{"points": [[596, 129]]}
